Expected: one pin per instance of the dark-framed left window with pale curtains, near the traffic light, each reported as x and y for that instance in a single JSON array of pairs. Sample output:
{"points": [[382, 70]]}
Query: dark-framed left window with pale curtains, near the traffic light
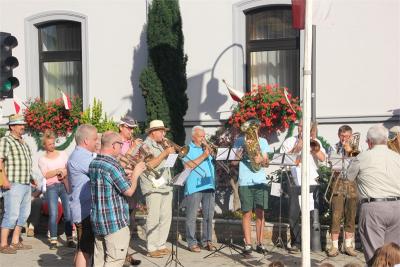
{"points": [[60, 59]]}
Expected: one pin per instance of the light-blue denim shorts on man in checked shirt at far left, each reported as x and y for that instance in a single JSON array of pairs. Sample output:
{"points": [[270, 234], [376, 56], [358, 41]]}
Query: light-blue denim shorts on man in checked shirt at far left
{"points": [[17, 205]]}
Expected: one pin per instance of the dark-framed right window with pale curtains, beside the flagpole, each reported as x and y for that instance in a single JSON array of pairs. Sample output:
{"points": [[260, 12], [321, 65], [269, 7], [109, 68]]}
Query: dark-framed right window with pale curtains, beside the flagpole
{"points": [[272, 52]]}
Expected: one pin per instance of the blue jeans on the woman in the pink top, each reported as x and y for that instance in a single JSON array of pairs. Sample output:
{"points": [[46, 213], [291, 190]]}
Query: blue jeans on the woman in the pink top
{"points": [[54, 192]]}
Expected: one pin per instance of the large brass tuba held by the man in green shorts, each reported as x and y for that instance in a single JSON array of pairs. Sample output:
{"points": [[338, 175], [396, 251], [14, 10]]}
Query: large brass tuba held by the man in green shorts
{"points": [[251, 144]]}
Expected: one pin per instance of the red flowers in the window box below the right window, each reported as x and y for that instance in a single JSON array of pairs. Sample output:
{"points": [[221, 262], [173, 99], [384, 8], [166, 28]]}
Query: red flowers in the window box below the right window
{"points": [[269, 105]]}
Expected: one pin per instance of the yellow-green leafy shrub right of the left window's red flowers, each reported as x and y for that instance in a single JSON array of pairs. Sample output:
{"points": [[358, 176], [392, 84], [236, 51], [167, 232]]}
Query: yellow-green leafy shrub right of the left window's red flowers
{"points": [[94, 115]]}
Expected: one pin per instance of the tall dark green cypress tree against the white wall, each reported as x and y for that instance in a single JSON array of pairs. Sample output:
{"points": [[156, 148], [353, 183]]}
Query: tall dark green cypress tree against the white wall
{"points": [[167, 59]]}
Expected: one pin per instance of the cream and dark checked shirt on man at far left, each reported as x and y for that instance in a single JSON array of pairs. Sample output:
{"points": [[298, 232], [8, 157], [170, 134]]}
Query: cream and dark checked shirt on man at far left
{"points": [[17, 159]]}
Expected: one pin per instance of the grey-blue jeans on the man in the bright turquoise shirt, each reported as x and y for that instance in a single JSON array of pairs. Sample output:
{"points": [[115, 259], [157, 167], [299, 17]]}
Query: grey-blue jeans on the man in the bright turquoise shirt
{"points": [[207, 199]]}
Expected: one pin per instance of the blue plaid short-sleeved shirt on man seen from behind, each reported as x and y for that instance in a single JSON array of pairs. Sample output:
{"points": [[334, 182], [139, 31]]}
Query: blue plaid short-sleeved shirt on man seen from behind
{"points": [[110, 210]]}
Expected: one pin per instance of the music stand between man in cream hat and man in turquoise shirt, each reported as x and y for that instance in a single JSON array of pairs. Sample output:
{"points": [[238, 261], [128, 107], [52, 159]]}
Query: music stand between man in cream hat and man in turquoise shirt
{"points": [[178, 181]]}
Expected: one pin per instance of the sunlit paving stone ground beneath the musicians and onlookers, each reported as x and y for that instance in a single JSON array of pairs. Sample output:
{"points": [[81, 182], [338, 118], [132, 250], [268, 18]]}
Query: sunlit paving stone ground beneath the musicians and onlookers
{"points": [[40, 255]]}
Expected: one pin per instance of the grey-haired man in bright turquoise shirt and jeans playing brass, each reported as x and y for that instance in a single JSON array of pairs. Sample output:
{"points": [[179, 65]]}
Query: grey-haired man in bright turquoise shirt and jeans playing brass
{"points": [[199, 188]]}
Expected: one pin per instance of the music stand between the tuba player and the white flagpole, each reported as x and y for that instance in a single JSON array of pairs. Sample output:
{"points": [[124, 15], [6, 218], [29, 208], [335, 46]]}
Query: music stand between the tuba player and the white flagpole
{"points": [[283, 160]]}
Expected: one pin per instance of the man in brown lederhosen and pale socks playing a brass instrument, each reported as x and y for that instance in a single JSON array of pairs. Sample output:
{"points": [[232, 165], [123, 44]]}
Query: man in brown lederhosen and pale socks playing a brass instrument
{"points": [[344, 200]]}
